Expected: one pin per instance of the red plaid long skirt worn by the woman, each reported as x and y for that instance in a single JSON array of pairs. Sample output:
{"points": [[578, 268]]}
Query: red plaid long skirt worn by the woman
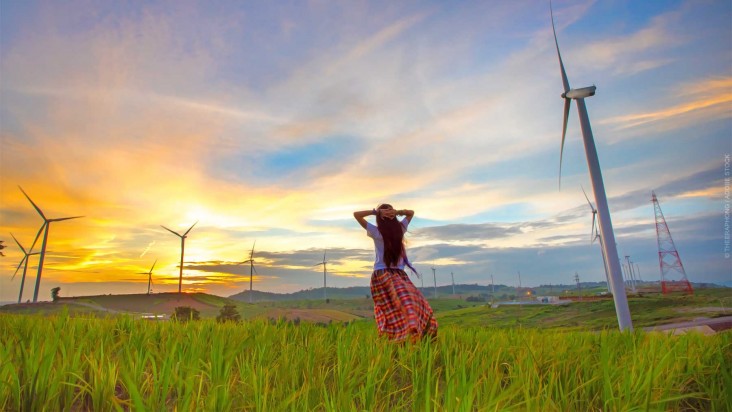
{"points": [[400, 309]]}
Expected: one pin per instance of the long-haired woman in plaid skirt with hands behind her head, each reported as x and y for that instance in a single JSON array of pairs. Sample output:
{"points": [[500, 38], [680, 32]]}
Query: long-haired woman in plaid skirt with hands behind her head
{"points": [[400, 309]]}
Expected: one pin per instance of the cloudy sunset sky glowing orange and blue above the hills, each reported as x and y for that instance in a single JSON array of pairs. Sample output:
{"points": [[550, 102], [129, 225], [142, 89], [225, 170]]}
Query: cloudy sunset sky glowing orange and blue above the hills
{"points": [[272, 122]]}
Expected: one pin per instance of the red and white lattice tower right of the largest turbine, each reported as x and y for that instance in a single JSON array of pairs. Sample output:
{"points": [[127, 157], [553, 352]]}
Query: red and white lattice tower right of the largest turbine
{"points": [[668, 256]]}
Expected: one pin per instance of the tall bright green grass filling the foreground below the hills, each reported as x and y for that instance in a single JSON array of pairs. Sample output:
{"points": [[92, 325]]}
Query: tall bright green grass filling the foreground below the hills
{"points": [[60, 362]]}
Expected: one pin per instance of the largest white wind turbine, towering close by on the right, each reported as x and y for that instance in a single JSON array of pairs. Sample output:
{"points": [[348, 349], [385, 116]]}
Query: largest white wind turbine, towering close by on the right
{"points": [[603, 213]]}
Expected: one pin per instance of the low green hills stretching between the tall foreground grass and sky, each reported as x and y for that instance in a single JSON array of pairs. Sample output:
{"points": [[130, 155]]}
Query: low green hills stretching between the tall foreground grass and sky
{"points": [[646, 310]]}
